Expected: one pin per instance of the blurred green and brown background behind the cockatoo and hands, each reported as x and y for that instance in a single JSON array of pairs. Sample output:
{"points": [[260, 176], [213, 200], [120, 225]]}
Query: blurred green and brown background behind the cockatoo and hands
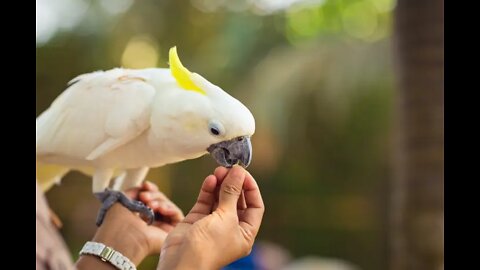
{"points": [[348, 101]]}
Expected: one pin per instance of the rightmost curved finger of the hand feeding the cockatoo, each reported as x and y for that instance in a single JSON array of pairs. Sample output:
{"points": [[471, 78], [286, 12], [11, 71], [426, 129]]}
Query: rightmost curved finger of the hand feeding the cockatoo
{"points": [[251, 218]]}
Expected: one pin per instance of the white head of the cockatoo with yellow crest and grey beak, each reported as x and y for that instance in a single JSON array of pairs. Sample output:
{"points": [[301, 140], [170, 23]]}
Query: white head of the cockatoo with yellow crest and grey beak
{"points": [[204, 118]]}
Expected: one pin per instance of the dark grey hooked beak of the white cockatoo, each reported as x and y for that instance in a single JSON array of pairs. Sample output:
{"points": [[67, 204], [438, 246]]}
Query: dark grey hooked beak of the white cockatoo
{"points": [[231, 152]]}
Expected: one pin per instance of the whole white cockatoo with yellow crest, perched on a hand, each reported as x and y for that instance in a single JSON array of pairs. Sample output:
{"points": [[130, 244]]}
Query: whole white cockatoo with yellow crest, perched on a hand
{"points": [[130, 120]]}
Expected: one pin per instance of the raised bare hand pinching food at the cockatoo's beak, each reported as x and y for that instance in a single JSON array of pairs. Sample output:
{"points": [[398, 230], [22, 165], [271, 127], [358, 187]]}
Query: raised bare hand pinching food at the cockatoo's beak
{"points": [[219, 229]]}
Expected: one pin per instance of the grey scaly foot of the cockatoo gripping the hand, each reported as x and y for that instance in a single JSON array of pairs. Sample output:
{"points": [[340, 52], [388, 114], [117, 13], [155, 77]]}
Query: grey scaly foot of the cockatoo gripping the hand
{"points": [[110, 197]]}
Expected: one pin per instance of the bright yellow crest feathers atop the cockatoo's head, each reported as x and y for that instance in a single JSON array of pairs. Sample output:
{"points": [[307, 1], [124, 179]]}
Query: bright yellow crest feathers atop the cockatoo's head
{"points": [[181, 73]]}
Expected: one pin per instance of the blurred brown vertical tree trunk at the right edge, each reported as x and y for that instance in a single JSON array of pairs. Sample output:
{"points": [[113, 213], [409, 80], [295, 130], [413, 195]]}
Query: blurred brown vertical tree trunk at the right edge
{"points": [[417, 213]]}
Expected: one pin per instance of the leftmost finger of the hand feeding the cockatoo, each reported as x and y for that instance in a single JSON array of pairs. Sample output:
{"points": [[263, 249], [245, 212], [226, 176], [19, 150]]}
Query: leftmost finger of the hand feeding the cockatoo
{"points": [[205, 200]]}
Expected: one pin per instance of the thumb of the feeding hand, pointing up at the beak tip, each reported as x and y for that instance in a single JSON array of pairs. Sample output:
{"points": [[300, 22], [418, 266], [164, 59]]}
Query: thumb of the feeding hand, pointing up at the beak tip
{"points": [[231, 188]]}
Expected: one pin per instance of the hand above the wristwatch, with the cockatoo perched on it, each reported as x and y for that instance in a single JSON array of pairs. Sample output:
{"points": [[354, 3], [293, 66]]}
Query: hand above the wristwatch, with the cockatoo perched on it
{"points": [[125, 232]]}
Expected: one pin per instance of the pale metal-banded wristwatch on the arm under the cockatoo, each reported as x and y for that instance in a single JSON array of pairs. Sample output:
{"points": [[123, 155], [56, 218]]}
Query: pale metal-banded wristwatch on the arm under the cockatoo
{"points": [[108, 254]]}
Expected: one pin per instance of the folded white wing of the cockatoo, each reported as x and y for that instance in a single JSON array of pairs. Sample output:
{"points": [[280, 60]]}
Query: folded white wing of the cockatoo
{"points": [[98, 113]]}
